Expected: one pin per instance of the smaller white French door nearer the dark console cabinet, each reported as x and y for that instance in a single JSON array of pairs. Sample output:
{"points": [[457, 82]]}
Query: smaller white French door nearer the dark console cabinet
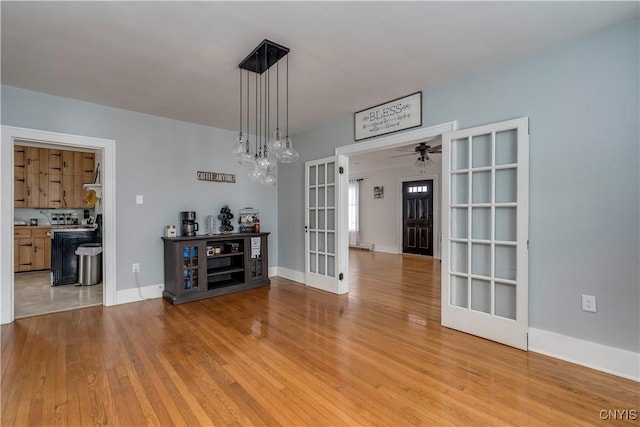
{"points": [[326, 259]]}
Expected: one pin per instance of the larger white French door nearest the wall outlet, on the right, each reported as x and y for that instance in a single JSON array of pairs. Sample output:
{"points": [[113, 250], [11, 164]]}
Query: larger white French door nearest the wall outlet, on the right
{"points": [[485, 231]]}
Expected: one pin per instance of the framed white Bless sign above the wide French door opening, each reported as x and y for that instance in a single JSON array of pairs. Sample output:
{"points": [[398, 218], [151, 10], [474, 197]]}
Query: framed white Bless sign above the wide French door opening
{"points": [[399, 114]]}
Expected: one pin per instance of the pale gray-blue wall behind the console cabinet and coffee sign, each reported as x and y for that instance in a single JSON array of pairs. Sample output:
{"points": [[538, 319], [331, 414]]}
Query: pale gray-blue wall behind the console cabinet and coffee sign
{"points": [[157, 158]]}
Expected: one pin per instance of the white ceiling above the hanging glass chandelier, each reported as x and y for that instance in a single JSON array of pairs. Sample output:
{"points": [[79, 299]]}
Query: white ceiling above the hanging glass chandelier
{"points": [[180, 59]]}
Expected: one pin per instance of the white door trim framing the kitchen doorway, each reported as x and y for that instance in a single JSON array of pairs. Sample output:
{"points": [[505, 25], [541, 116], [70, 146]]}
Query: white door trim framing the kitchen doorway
{"points": [[107, 146]]}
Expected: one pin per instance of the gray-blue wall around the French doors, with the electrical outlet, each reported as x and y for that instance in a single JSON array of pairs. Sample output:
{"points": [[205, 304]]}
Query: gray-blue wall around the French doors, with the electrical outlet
{"points": [[582, 100]]}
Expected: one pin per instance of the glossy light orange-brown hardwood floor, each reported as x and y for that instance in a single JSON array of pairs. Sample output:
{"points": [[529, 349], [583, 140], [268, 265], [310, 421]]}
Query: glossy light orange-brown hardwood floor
{"points": [[290, 355]]}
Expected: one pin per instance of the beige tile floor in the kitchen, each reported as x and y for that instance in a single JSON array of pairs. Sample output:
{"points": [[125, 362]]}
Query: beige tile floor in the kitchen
{"points": [[34, 295]]}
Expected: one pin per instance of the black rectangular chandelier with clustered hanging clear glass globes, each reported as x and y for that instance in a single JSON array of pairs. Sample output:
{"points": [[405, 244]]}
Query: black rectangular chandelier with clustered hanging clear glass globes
{"points": [[262, 156]]}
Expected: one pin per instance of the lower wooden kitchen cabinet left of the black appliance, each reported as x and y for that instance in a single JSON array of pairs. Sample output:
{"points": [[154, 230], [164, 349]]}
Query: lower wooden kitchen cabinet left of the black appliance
{"points": [[32, 248]]}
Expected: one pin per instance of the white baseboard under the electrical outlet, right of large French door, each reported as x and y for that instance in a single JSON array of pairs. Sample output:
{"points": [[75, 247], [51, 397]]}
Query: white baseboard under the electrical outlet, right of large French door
{"points": [[612, 360]]}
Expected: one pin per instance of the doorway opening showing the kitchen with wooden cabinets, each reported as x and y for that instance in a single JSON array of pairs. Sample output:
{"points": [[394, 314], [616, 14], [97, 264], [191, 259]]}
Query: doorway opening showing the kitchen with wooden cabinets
{"points": [[53, 218]]}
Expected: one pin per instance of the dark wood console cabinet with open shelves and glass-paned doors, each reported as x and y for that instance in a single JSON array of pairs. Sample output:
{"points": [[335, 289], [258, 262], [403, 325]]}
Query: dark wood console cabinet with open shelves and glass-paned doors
{"points": [[206, 266]]}
